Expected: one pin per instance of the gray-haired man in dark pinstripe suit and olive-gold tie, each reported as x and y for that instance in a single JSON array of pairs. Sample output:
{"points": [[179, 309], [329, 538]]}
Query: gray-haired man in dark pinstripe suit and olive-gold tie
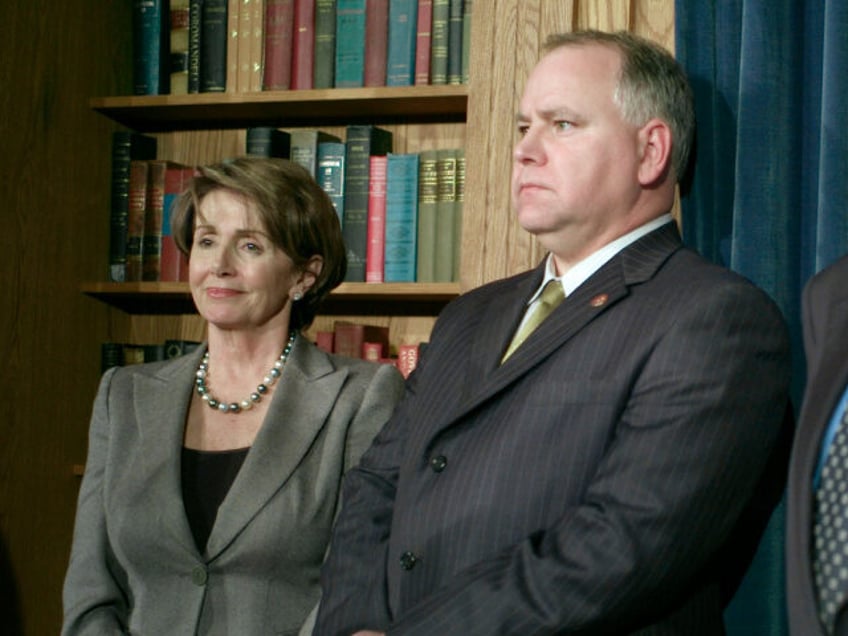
{"points": [[609, 473]]}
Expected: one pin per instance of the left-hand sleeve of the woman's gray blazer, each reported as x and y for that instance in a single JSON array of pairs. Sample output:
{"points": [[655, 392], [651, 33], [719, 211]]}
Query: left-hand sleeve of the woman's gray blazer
{"points": [[93, 596]]}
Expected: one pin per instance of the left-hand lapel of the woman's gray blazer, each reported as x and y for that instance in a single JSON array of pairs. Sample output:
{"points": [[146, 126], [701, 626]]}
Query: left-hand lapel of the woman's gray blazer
{"points": [[161, 404]]}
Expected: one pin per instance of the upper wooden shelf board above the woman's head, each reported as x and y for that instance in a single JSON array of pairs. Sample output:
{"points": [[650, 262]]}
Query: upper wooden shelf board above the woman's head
{"points": [[205, 111]]}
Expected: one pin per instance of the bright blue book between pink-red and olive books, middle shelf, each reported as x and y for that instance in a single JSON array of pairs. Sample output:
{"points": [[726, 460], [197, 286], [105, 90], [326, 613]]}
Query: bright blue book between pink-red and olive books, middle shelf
{"points": [[401, 218]]}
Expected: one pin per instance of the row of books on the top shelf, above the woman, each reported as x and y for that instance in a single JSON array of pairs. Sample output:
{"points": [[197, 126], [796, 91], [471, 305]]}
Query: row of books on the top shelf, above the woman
{"points": [[197, 46]]}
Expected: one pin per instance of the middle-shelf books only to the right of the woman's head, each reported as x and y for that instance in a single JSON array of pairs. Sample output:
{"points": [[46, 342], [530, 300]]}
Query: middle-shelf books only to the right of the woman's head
{"points": [[401, 214]]}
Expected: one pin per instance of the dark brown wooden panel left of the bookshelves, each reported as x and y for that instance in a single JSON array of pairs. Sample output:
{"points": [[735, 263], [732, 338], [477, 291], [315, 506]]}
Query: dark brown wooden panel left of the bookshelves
{"points": [[54, 184]]}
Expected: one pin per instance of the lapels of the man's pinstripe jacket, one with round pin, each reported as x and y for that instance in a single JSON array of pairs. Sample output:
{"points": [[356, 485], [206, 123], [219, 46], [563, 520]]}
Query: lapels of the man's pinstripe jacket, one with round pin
{"points": [[605, 288]]}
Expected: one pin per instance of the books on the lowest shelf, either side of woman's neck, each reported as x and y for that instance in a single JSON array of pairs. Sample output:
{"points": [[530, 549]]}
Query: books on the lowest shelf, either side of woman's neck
{"points": [[369, 342]]}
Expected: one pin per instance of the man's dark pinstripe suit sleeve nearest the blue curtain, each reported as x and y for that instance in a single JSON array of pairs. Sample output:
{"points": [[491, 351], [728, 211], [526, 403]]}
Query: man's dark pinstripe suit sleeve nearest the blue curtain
{"points": [[693, 440]]}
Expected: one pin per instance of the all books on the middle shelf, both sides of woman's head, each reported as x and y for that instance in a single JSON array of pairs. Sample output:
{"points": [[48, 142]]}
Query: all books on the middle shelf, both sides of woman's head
{"points": [[401, 214]]}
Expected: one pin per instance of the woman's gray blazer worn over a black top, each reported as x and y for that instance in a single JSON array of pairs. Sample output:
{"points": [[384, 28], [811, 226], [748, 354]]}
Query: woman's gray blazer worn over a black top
{"points": [[134, 566]]}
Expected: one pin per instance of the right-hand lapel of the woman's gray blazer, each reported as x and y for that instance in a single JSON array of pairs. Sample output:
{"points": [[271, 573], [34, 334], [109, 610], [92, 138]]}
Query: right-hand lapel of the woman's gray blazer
{"points": [[302, 400]]}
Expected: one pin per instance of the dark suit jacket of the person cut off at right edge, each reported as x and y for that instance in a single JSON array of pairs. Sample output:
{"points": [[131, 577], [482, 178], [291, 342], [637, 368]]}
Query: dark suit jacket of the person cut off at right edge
{"points": [[825, 312]]}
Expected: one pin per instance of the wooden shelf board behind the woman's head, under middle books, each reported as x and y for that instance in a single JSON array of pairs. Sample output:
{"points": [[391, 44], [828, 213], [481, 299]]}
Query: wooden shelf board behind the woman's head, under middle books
{"points": [[401, 299]]}
